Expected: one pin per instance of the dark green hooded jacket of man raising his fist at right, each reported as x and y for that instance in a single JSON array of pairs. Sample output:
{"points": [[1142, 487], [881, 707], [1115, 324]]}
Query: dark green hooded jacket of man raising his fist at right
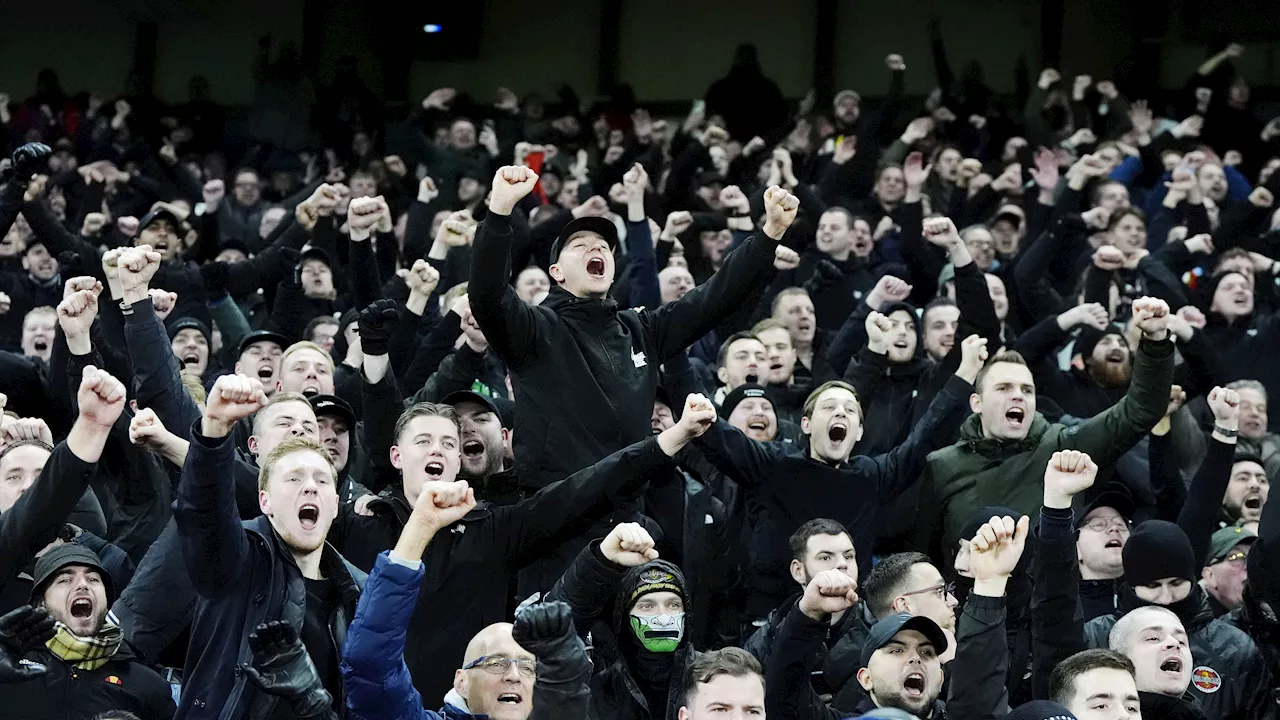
{"points": [[977, 472]]}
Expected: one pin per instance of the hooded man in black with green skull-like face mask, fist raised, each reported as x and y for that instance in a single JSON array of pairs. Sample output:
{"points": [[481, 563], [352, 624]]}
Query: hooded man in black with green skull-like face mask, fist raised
{"points": [[651, 603]]}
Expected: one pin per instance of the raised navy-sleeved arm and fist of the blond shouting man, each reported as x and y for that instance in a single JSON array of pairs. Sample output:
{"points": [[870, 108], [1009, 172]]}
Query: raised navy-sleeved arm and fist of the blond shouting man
{"points": [[214, 545]]}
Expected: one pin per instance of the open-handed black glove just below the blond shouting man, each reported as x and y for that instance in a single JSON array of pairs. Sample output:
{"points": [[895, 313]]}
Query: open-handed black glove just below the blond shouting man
{"points": [[284, 668]]}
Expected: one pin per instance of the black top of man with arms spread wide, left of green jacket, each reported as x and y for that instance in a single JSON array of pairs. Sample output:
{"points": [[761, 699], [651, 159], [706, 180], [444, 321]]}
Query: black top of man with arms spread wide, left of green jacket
{"points": [[794, 489]]}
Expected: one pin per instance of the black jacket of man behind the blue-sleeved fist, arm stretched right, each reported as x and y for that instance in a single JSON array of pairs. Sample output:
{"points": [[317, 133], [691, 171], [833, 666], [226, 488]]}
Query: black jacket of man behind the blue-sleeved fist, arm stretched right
{"points": [[470, 564]]}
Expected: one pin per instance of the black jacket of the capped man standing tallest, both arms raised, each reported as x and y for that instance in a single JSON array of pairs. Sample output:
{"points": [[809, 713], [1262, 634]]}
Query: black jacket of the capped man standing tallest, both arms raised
{"points": [[588, 364]]}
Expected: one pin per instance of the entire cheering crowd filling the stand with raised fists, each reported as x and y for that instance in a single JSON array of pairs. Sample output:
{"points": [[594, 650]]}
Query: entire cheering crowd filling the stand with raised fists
{"points": [[547, 409]]}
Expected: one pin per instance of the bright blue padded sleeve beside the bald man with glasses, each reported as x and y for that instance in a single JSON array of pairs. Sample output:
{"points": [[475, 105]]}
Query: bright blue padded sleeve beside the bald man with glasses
{"points": [[373, 662]]}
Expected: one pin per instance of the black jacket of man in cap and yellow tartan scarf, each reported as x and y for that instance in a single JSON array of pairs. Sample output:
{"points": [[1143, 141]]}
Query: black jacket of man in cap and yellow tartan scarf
{"points": [[70, 694]]}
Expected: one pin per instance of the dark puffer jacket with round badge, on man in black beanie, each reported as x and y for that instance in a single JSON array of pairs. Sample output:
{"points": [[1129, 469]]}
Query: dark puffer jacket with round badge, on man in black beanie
{"points": [[1231, 678]]}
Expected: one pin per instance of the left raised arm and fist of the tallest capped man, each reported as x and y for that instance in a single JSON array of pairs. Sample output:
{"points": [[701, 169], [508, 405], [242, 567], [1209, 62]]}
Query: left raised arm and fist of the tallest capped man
{"points": [[508, 321]]}
